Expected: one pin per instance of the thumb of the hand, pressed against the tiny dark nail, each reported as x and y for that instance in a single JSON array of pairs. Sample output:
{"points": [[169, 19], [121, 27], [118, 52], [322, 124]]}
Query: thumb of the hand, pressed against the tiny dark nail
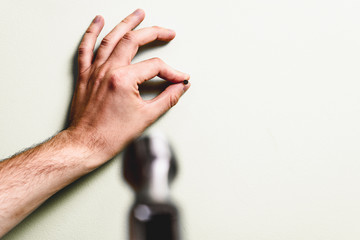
{"points": [[167, 99]]}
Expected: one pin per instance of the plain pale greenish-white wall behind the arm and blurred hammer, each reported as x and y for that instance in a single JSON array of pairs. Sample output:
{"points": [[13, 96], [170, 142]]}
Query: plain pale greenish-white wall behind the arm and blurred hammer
{"points": [[268, 136]]}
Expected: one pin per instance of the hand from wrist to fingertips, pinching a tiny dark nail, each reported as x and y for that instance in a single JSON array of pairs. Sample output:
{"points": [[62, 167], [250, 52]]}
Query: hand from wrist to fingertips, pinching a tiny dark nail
{"points": [[107, 108]]}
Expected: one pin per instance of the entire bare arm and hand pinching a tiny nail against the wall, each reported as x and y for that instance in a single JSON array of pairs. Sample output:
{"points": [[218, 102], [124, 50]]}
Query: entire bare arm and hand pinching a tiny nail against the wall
{"points": [[106, 113]]}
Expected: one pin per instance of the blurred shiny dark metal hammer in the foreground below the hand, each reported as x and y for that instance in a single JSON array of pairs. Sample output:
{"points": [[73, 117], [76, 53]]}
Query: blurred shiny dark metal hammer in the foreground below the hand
{"points": [[149, 167]]}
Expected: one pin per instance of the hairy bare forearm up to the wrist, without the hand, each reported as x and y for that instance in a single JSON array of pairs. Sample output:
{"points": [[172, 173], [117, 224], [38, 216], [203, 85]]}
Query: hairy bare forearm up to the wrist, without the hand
{"points": [[28, 179]]}
